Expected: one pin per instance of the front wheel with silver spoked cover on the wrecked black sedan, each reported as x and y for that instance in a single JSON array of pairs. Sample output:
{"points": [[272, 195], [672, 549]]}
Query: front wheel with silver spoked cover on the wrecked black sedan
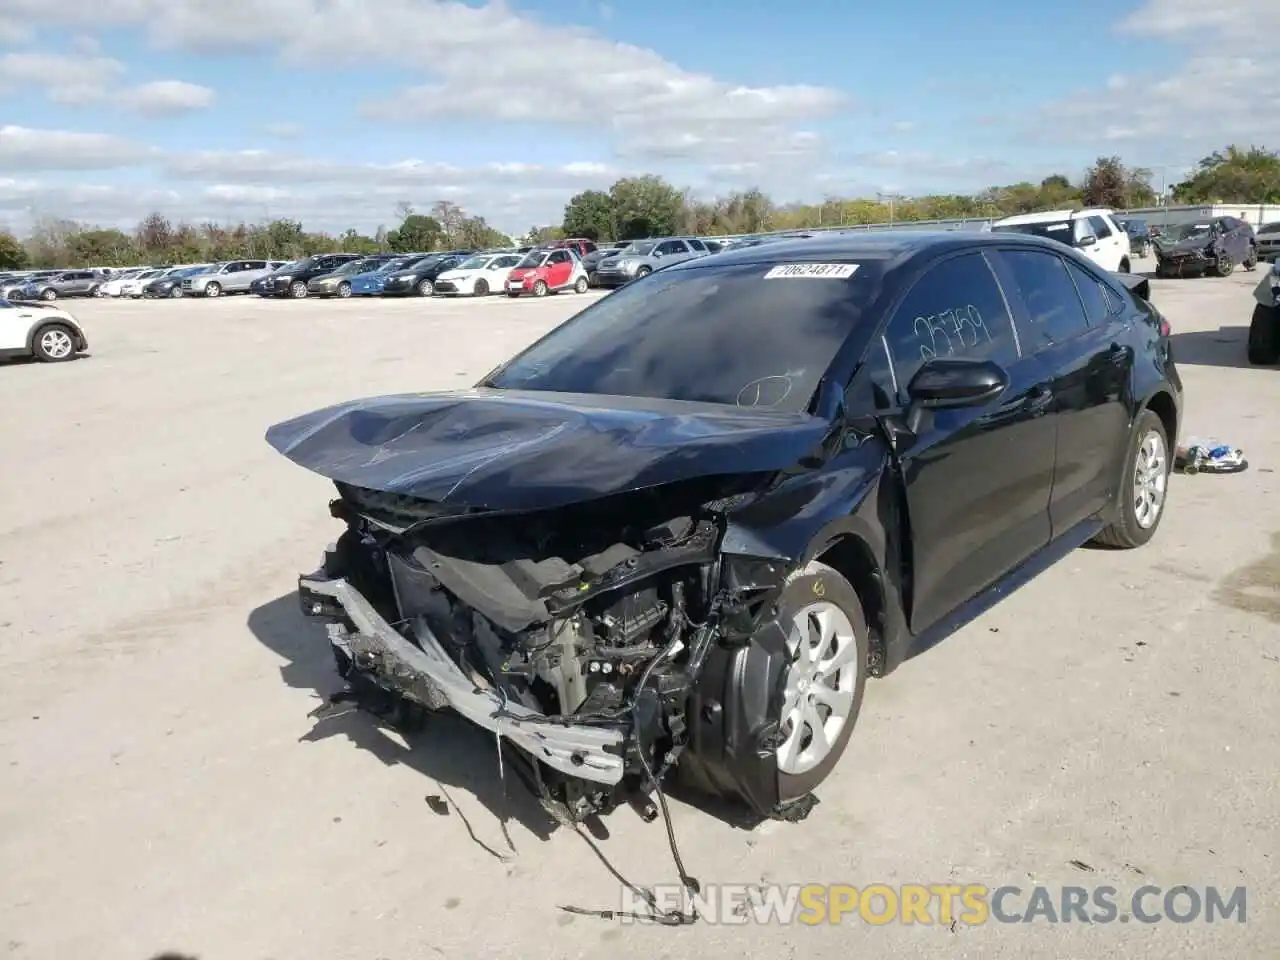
{"points": [[824, 688]]}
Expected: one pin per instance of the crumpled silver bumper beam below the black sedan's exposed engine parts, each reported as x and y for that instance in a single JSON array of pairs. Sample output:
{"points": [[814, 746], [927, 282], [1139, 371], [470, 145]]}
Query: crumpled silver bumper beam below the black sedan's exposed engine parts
{"points": [[577, 751]]}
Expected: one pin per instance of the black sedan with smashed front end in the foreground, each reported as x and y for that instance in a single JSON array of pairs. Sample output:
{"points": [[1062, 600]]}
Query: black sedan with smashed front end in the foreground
{"points": [[674, 540]]}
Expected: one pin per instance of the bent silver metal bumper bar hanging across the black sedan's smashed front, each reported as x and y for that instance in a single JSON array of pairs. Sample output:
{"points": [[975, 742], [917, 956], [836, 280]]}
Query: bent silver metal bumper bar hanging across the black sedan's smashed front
{"points": [[428, 676]]}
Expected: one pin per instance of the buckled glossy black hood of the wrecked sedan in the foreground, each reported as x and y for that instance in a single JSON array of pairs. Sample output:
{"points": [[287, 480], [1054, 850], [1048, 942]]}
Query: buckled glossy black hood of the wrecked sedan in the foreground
{"points": [[509, 450]]}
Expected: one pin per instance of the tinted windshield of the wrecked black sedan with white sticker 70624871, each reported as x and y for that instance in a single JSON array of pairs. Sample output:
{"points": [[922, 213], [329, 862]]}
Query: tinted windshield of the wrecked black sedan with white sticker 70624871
{"points": [[665, 339]]}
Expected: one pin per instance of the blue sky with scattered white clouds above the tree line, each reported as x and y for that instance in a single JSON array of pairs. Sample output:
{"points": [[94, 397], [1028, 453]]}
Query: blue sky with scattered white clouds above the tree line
{"points": [[336, 112]]}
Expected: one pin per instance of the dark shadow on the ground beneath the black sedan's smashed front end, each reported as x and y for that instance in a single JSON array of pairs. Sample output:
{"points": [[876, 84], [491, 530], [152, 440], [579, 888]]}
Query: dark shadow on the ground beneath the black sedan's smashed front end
{"points": [[449, 752]]}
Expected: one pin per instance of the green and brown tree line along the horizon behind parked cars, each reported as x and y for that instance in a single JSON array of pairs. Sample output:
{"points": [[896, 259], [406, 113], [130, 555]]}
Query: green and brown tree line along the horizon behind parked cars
{"points": [[638, 207]]}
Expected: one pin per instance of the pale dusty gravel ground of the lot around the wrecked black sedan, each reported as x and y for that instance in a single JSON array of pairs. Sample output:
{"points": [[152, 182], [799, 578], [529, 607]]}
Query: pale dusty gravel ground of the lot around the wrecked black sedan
{"points": [[163, 785]]}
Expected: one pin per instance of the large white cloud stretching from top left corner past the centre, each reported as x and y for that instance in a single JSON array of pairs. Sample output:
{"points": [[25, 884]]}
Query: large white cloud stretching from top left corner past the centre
{"points": [[488, 62]]}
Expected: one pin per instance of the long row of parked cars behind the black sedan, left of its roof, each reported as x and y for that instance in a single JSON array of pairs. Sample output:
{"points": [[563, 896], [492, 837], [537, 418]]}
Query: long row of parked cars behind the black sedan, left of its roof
{"points": [[574, 264]]}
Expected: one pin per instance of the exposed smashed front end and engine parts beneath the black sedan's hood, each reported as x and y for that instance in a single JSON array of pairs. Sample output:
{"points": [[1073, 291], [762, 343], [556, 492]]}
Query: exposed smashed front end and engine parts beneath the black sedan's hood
{"points": [[607, 641]]}
